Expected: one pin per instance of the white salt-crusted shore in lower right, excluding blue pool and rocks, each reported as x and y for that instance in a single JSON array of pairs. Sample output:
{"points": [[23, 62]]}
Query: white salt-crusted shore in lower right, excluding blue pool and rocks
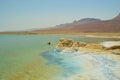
{"points": [[100, 64]]}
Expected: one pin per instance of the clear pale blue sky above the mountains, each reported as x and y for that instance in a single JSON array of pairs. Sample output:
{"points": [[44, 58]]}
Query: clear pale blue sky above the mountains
{"points": [[30, 14]]}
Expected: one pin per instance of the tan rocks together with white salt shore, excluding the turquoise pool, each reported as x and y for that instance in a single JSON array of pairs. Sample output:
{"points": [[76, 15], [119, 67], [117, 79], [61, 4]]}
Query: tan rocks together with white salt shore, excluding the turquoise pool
{"points": [[103, 62]]}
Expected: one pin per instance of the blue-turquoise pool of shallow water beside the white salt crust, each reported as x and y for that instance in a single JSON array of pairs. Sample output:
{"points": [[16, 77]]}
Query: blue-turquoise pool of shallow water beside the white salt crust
{"points": [[65, 61]]}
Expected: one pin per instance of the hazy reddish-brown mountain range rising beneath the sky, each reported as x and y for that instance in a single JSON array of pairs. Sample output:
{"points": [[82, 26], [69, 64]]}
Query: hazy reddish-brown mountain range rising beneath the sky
{"points": [[86, 25]]}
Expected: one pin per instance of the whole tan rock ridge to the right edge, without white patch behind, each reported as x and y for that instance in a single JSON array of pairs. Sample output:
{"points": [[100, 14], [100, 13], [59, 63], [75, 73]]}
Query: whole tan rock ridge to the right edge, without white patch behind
{"points": [[70, 45]]}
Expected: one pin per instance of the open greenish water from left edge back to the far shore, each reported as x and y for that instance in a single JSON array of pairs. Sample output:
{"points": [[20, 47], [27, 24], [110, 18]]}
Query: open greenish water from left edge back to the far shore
{"points": [[19, 52]]}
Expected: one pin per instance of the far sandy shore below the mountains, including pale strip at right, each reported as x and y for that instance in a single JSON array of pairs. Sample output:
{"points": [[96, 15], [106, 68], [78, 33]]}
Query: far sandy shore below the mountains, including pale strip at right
{"points": [[91, 35]]}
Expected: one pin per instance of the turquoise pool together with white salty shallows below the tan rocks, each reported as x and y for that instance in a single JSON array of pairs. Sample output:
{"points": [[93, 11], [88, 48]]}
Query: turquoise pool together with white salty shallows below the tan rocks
{"points": [[85, 66]]}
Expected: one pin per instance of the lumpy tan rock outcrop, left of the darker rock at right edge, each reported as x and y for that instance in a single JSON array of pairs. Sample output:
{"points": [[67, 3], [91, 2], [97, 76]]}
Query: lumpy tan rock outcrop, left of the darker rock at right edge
{"points": [[67, 43]]}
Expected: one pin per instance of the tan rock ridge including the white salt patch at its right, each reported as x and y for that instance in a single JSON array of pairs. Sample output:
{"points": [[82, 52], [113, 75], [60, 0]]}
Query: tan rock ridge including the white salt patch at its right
{"points": [[68, 45]]}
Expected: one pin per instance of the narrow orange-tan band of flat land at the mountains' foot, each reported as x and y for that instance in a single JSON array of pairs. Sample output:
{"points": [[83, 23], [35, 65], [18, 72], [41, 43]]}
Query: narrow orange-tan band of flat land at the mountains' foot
{"points": [[72, 33]]}
